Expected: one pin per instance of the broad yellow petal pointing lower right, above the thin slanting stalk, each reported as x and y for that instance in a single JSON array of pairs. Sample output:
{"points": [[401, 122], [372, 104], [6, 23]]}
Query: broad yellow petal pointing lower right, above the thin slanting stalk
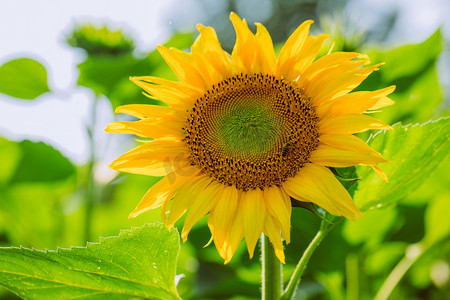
{"points": [[317, 184]]}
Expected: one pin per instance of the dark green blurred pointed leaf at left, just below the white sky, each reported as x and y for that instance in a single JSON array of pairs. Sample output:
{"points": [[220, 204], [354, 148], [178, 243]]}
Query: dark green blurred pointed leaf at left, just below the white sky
{"points": [[41, 163]]}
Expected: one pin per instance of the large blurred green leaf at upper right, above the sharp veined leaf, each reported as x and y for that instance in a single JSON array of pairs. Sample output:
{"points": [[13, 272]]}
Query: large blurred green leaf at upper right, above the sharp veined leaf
{"points": [[413, 70]]}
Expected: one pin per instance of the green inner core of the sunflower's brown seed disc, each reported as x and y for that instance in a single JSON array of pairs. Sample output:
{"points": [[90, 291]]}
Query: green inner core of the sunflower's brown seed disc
{"points": [[248, 131]]}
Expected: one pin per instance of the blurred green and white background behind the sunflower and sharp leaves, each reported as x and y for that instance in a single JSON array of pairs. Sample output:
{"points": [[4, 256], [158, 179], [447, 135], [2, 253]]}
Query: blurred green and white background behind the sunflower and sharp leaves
{"points": [[64, 67]]}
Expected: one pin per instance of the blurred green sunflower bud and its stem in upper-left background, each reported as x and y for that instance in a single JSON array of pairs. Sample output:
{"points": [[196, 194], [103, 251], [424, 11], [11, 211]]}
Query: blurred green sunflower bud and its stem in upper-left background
{"points": [[105, 49]]}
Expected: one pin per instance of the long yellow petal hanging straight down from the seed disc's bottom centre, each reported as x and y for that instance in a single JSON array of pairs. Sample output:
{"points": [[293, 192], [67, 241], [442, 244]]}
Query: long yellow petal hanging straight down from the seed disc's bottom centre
{"points": [[253, 215]]}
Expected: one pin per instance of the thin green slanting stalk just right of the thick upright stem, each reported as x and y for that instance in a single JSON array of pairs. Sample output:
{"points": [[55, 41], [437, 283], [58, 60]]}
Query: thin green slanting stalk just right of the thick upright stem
{"points": [[325, 227]]}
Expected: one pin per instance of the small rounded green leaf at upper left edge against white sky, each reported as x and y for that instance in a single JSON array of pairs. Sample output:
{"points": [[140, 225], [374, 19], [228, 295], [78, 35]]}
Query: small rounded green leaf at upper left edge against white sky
{"points": [[23, 78]]}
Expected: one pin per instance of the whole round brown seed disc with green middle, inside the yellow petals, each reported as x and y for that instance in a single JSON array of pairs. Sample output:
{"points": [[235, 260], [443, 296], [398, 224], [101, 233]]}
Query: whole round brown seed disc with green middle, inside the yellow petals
{"points": [[252, 131]]}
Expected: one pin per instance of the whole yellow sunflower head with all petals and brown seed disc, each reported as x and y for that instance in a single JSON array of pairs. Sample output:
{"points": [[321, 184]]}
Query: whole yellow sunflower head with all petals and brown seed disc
{"points": [[245, 134]]}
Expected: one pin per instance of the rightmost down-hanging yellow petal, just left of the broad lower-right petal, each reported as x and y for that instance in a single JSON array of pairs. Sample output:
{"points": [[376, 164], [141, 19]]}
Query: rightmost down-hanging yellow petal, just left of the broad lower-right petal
{"points": [[278, 205]]}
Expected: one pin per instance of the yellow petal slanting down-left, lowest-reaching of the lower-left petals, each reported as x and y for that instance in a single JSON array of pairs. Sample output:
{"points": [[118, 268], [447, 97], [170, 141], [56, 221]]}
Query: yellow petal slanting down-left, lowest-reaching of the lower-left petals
{"points": [[204, 201]]}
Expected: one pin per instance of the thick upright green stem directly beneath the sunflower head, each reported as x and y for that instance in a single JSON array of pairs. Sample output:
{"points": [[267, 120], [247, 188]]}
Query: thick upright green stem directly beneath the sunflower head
{"points": [[271, 271]]}
